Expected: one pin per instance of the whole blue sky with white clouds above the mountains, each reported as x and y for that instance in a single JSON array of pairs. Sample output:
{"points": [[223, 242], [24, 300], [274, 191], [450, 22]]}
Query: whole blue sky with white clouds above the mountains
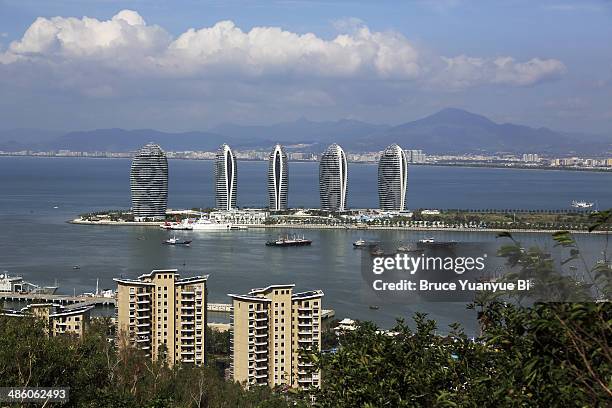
{"points": [[193, 64]]}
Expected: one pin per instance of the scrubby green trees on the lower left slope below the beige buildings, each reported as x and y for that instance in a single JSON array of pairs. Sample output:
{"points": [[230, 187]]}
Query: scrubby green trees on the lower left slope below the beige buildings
{"points": [[100, 375]]}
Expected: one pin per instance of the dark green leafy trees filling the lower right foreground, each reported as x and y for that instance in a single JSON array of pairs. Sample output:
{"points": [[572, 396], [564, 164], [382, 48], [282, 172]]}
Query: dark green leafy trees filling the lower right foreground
{"points": [[547, 355]]}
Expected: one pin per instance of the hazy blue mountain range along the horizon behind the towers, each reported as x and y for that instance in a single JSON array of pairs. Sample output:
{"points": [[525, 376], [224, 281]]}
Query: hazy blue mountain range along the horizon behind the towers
{"points": [[448, 131]]}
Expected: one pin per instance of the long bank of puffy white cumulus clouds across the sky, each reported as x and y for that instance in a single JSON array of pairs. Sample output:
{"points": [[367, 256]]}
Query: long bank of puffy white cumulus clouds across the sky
{"points": [[126, 45]]}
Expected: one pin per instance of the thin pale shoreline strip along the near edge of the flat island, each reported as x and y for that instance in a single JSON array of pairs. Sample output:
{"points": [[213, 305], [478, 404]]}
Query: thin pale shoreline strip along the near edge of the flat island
{"points": [[345, 227]]}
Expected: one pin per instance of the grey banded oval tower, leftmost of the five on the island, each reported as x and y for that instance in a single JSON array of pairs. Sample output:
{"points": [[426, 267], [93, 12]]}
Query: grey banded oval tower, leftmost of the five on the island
{"points": [[149, 183]]}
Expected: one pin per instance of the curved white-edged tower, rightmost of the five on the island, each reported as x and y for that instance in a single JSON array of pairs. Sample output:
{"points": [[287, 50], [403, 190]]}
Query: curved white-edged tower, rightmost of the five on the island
{"points": [[392, 179]]}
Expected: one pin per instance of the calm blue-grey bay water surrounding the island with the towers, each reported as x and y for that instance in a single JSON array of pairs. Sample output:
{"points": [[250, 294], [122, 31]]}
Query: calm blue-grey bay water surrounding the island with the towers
{"points": [[37, 243]]}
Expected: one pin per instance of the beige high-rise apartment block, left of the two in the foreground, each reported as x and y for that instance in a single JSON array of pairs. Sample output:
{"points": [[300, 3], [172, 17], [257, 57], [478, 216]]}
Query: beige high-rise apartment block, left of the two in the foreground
{"points": [[164, 315]]}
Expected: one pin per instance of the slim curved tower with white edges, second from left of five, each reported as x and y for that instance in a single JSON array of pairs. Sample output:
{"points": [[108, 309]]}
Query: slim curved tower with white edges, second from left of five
{"points": [[226, 178]]}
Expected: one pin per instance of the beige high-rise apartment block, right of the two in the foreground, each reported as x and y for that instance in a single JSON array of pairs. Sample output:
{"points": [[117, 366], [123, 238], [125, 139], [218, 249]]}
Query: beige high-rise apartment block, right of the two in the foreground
{"points": [[270, 326]]}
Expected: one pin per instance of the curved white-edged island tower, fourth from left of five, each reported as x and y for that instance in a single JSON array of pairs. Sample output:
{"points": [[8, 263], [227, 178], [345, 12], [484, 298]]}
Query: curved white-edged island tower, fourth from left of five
{"points": [[333, 177]]}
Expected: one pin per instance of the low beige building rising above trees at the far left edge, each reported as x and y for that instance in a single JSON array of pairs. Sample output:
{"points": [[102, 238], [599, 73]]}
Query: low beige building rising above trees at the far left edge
{"points": [[59, 320]]}
